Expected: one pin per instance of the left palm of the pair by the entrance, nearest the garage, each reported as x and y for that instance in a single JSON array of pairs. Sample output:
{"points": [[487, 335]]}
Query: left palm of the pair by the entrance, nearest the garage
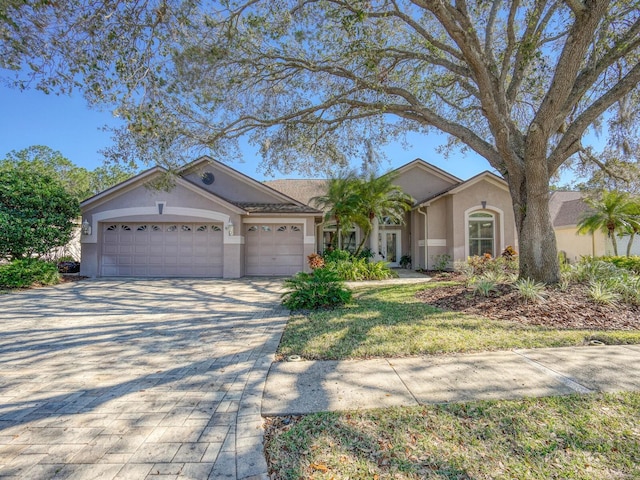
{"points": [[339, 203]]}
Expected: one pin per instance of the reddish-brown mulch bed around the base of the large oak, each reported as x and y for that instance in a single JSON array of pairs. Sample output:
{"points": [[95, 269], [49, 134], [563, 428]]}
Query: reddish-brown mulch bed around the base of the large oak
{"points": [[571, 309]]}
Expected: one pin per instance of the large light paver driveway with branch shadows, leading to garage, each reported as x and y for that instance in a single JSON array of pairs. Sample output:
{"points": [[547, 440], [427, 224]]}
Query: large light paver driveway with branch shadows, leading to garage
{"points": [[136, 378]]}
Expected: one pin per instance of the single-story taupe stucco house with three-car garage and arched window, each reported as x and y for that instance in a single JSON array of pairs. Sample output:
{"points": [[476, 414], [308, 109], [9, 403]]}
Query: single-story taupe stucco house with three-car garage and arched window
{"points": [[218, 222]]}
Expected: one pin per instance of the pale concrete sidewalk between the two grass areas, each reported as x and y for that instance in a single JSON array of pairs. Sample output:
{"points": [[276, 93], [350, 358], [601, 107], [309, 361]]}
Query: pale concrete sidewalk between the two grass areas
{"points": [[313, 386]]}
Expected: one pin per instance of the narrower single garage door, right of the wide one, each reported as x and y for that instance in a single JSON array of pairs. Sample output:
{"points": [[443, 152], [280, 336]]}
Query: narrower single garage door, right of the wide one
{"points": [[274, 249]]}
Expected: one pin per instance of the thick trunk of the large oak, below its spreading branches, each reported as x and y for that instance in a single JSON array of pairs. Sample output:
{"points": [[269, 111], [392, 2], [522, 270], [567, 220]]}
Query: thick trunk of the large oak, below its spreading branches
{"points": [[536, 237]]}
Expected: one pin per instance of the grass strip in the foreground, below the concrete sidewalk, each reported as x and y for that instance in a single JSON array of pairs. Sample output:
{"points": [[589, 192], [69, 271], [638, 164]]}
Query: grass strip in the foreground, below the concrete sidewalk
{"points": [[575, 437]]}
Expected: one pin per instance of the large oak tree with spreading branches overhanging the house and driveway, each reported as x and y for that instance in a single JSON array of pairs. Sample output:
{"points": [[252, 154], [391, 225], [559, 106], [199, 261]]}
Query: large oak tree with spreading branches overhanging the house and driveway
{"points": [[313, 82]]}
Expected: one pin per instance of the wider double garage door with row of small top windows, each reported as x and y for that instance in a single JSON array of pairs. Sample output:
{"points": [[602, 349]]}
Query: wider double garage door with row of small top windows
{"points": [[161, 250]]}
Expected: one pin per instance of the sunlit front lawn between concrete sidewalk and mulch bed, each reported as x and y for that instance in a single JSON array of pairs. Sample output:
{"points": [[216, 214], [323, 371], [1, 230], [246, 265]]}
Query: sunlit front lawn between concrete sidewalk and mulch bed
{"points": [[390, 322]]}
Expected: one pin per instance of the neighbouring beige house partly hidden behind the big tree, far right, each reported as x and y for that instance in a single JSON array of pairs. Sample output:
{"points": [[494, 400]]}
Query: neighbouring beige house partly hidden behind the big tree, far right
{"points": [[566, 209]]}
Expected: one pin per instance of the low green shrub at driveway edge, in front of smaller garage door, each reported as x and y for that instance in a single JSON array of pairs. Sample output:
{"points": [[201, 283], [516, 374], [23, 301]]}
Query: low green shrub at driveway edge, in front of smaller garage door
{"points": [[310, 291]]}
